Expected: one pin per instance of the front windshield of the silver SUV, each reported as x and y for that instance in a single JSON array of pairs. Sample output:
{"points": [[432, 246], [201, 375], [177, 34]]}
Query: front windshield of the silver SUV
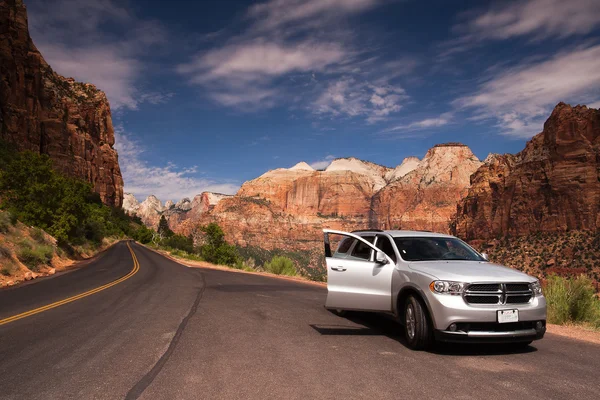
{"points": [[435, 249]]}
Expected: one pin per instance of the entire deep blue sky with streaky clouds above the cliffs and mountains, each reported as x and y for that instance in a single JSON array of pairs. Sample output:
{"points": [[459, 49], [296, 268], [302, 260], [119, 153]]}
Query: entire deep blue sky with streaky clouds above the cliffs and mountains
{"points": [[208, 94]]}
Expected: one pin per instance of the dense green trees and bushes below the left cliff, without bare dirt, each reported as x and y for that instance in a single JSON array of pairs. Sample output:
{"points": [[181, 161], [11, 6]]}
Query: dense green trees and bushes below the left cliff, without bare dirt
{"points": [[66, 208]]}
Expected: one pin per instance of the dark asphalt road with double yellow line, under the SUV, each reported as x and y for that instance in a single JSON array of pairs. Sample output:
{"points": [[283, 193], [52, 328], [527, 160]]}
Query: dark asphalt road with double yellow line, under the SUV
{"points": [[172, 332]]}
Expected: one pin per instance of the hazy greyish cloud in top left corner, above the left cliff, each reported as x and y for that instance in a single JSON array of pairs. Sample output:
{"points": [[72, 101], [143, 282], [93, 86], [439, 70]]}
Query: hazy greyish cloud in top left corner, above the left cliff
{"points": [[70, 35]]}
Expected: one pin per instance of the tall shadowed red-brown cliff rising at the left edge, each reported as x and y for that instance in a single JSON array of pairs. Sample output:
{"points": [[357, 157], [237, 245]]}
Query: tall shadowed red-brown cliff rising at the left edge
{"points": [[44, 112]]}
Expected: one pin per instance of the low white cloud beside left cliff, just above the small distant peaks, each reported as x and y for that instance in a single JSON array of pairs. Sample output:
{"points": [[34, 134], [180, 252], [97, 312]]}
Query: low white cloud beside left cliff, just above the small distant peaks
{"points": [[165, 182]]}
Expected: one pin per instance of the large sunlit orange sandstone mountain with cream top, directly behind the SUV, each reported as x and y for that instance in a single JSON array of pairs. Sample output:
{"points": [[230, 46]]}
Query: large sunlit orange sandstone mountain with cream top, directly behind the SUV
{"points": [[287, 208]]}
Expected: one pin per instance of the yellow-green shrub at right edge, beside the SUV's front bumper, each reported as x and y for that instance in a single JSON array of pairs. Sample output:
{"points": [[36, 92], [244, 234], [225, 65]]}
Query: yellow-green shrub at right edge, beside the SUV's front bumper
{"points": [[571, 300]]}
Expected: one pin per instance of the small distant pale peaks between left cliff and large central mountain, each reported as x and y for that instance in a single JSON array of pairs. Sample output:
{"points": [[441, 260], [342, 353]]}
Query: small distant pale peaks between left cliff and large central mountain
{"points": [[179, 215]]}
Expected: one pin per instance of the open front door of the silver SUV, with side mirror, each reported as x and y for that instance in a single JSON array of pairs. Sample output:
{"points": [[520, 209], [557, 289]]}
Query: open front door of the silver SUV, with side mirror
{"points": [[359, 275]]}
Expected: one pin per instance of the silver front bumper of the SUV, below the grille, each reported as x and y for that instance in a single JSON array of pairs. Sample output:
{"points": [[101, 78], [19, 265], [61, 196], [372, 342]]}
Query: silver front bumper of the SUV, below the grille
{"points": [[478, 323]]}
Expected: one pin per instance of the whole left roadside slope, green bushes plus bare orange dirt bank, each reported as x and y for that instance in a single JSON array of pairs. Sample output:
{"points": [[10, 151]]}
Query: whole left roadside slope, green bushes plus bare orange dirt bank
{"points": [[48, 219]]}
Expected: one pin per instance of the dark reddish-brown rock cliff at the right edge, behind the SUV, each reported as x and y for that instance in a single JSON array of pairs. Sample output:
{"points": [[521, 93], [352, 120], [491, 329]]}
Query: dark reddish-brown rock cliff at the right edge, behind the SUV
{"points": [[553, 185]]}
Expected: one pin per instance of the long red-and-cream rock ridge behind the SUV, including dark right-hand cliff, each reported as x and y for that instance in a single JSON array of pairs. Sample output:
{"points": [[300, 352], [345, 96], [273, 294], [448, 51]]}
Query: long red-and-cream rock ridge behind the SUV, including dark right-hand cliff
{"points": [[552, 185]]}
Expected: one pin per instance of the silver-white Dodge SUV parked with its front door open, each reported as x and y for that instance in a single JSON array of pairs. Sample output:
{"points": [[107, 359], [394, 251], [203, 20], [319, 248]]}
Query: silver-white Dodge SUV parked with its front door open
{"points": [[436, 285]]}
